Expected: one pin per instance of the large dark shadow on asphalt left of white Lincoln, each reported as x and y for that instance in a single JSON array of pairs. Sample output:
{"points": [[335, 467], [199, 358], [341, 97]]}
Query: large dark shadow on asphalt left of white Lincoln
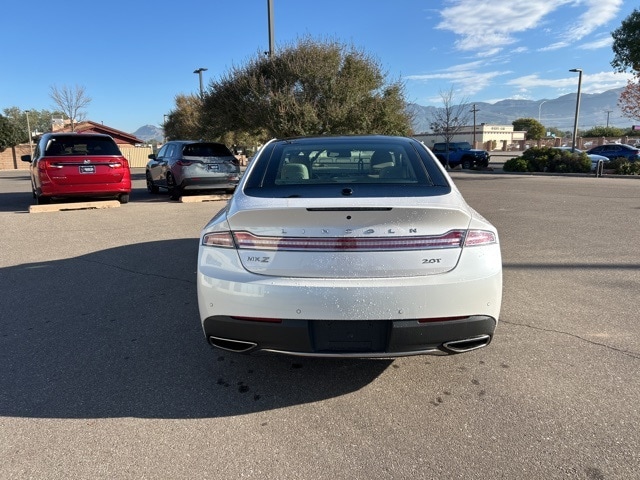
{"points": [[116, 333]]}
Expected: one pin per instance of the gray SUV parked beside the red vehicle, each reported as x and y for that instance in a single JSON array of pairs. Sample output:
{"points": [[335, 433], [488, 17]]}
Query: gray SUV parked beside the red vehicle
{"points": [[191, 165]]}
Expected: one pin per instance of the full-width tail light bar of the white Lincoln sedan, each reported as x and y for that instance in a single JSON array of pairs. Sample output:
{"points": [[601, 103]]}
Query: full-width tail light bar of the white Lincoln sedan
{"points": [[451, 239]]}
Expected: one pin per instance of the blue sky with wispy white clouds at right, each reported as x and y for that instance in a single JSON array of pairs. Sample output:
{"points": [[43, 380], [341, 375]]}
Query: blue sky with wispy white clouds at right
{"points": [[134, 57]]}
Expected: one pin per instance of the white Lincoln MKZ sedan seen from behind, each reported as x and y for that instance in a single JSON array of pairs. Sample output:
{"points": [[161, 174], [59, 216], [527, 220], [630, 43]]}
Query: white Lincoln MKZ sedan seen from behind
{"points": [[355, 246]]}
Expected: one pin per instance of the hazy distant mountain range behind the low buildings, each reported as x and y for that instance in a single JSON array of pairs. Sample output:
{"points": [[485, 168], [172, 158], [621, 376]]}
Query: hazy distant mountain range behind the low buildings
{"points": [[559, 112]]}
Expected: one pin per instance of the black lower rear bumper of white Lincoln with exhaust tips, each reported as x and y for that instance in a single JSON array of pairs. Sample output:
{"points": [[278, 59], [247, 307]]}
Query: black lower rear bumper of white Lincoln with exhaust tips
{"points": [[377, 338]]}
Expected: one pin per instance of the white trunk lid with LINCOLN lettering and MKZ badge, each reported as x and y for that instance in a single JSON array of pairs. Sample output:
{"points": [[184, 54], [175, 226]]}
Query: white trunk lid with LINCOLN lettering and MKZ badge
{"points": [[354, 241]]}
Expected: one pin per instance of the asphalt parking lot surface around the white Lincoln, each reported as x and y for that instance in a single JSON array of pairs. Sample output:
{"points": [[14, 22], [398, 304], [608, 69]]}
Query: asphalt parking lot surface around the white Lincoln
{"points": [[105, 373]]}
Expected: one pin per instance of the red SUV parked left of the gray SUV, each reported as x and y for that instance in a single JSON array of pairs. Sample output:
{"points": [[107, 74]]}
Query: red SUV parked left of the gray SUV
{"points": [[78, 165]]}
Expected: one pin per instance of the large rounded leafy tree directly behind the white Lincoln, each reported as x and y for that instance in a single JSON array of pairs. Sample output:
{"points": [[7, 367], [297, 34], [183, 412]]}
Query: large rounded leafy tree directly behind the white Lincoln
{"points": [[309, 88]]}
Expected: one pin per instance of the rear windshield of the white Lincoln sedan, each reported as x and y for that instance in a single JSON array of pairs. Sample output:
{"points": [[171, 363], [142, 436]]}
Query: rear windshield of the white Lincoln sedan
{"points": [[348, 164]]}
